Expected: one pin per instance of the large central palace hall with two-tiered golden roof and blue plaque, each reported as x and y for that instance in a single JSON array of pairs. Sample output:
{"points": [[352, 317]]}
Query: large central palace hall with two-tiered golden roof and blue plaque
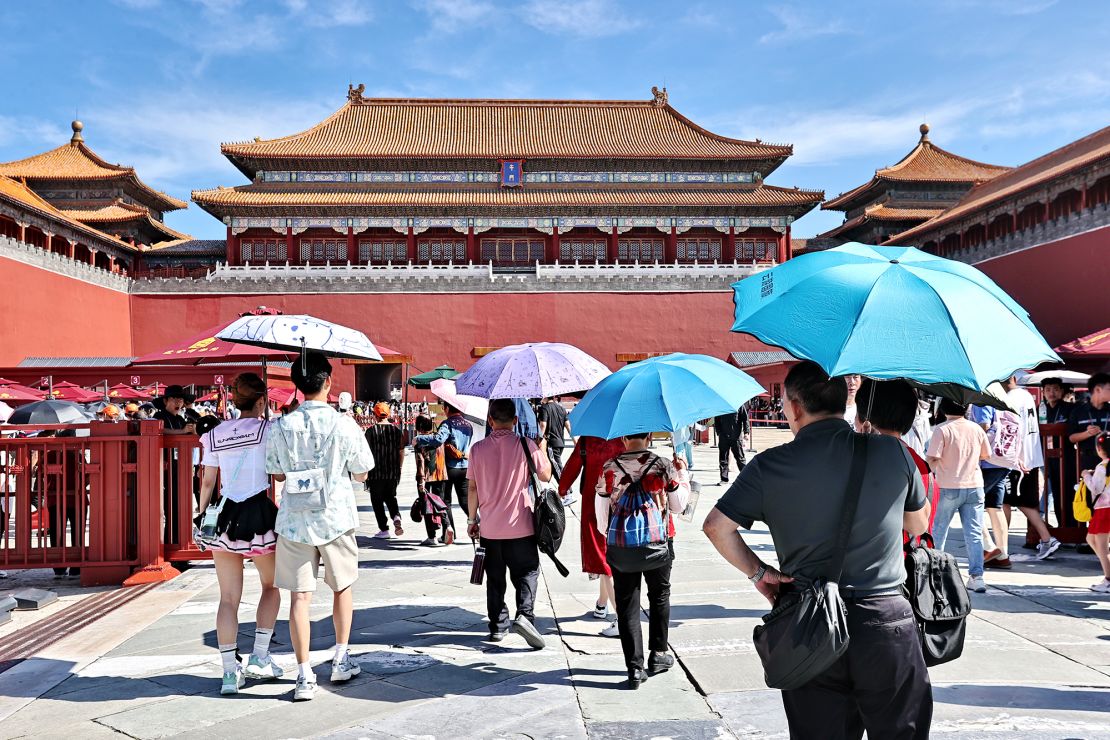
{"points": [[508, 184]]}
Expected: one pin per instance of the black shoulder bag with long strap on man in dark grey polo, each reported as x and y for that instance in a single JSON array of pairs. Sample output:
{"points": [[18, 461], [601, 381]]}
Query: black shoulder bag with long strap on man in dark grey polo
{"points": [[808, 630]]}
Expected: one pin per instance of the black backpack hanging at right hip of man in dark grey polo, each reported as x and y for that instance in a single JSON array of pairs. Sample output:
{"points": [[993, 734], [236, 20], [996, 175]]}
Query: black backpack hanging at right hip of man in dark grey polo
{"points": [[940, 600]]}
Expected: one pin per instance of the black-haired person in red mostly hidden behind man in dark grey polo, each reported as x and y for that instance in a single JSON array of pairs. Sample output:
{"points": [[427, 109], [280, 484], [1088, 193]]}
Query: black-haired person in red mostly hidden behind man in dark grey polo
{"points": [[891, 408]]}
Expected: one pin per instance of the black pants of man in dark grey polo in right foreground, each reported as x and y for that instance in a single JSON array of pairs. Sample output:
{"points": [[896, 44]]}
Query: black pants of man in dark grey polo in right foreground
{"points": [[881, 685]]}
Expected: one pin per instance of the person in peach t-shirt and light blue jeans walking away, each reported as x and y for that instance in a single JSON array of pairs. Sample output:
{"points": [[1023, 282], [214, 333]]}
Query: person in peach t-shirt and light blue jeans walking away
{"points": [[957, 448]]}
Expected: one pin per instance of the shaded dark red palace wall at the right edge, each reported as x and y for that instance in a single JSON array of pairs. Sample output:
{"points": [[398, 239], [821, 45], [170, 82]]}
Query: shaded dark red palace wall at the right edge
{"points": [[1065, 286]]}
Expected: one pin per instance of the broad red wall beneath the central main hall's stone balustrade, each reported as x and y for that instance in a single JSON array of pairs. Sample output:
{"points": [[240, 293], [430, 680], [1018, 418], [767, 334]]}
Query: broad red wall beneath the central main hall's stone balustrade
{"points": [[443, 329]]}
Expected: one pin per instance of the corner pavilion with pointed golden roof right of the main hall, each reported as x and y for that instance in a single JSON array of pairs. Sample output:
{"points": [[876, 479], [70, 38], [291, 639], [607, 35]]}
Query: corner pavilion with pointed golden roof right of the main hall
{"points": [[922, 186]]}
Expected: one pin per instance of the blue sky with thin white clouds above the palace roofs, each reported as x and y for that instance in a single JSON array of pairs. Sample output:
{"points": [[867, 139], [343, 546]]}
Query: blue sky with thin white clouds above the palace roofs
{"points": [[160, 84]]}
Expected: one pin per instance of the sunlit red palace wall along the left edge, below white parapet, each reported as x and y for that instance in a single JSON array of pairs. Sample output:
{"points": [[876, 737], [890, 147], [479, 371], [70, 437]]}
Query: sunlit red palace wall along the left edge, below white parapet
{"points": [[48, 315]]}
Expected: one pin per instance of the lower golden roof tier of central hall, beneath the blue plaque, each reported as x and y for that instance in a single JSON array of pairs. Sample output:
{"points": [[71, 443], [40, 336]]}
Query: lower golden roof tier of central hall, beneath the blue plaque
{"points": [[277, 196]]}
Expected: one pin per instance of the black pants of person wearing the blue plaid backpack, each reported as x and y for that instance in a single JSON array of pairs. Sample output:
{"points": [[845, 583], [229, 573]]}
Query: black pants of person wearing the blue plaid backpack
{"points": [[627, 595]]}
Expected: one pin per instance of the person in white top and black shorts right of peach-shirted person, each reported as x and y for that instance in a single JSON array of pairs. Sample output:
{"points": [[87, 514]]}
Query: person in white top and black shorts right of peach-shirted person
{"points": [[1024, 490]]}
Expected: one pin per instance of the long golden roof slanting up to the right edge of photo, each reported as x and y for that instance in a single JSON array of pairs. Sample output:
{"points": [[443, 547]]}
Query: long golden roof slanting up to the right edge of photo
{"points": [[1058, 163]]}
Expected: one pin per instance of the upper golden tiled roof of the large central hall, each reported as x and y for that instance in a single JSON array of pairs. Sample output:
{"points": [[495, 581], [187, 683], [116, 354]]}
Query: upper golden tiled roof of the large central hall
{"points": [[492, 129]]}
